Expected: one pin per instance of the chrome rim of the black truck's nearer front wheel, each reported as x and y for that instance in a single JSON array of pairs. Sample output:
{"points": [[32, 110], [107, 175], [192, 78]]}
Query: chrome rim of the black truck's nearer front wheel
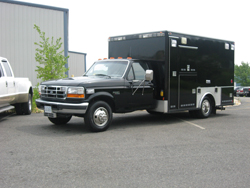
{"points": [[100, 116]]}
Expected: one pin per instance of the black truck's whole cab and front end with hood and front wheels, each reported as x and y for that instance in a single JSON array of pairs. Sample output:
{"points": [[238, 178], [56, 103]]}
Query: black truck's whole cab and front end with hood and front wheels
{"points": [[109, 86]]}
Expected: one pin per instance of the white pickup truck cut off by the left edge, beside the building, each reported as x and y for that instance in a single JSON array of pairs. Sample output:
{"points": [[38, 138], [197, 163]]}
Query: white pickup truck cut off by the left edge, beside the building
{"points": [[14, 92]]}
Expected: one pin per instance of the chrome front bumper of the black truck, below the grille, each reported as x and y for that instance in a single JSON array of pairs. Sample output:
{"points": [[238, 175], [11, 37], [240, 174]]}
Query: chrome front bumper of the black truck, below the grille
{"points": [[64, 108]]}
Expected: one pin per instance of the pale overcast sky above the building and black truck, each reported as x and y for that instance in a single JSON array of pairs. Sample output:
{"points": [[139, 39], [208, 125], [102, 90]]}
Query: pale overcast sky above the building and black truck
{"points": [[92, 22]]}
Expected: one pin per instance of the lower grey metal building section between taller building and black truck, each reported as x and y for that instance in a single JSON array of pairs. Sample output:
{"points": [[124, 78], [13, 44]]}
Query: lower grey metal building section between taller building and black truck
{"points": [[77, 63]]}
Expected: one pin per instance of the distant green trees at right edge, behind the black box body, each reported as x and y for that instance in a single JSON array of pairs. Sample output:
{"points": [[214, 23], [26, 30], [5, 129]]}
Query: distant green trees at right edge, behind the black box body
{"points": [[242, 74]]}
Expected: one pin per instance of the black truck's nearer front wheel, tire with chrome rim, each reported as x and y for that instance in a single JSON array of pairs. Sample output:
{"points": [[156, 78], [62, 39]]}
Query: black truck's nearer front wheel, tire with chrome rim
{"points": [[99, 116]]}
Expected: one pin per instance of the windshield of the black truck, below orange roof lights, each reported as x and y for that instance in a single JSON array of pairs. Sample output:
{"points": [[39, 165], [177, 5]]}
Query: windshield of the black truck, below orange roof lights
{"points": [[108, 68]]}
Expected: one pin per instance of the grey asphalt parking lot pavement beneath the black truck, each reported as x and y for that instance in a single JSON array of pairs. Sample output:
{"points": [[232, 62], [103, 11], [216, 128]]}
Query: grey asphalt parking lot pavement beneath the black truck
{"points": [[138, 150]]}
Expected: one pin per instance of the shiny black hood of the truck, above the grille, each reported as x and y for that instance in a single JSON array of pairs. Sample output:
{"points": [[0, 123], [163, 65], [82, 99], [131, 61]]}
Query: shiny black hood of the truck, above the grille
{"points": [[93, 81]]}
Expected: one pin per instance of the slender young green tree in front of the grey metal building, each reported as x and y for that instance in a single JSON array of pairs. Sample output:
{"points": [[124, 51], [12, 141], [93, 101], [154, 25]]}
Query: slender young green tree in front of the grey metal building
{"points": [[50, 57]]}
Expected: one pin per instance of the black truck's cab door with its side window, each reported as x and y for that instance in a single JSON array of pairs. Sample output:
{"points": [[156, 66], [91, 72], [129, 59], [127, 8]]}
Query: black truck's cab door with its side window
{"points": [[141, 93]]}
